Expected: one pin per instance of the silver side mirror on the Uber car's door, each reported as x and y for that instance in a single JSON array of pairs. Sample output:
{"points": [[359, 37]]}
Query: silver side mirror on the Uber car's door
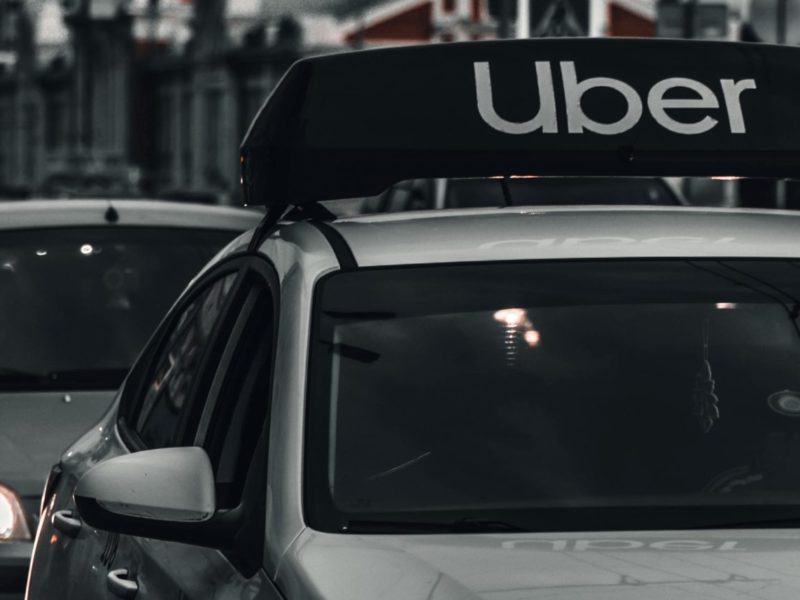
{"points": [[154, 493]]}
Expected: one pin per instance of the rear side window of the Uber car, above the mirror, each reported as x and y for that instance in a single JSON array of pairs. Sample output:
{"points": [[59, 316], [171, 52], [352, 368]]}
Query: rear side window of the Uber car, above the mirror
{"points": [[173, 382]]}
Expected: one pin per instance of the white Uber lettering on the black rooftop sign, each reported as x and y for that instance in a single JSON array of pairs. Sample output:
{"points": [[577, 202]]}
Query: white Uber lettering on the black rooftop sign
{"points": [[660, 99]]}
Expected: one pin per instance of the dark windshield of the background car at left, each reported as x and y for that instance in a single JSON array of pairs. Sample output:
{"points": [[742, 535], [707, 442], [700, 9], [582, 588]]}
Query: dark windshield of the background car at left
{"points": [[78, 304]]}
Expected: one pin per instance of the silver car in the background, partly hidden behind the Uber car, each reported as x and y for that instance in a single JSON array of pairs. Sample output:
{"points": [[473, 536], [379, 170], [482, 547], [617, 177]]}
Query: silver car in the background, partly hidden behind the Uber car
{"points": [[83, 283]]}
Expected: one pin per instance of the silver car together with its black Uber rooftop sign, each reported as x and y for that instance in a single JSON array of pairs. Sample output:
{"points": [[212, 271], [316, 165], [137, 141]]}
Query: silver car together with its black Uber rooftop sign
{"points": [[517, 402]]}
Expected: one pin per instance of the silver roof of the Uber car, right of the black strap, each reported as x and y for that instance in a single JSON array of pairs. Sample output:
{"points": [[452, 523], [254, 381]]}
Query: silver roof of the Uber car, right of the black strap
{"points": [[523, 233]]}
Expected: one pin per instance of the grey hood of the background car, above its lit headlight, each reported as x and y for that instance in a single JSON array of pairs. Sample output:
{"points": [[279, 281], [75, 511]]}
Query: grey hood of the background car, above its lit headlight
{"points": [[36, 427]]}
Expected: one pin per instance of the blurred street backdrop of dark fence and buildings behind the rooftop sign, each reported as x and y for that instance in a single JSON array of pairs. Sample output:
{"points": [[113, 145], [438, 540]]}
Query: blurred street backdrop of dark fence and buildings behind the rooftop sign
{"points": [[151, 98]]}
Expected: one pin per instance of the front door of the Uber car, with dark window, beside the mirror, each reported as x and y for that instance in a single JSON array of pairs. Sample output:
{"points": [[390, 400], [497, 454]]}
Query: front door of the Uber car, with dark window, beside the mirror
{"points": [[230, 423]]}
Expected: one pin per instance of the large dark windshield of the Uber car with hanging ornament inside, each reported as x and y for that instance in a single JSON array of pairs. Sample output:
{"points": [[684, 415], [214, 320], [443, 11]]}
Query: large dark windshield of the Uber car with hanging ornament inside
{"points": [[556, 395]]}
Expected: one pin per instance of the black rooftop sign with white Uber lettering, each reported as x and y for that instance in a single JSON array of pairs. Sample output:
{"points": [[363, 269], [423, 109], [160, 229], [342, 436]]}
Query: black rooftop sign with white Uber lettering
{"points": [[351, 124]]}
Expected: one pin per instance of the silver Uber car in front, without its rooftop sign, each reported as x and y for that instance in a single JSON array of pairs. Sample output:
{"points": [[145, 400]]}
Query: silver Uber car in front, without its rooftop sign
{"points": [[531, 401]]}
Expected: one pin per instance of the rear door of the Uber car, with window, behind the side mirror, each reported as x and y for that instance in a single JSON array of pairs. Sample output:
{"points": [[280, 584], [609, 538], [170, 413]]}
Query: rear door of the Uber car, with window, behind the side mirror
{"points": [[160, 398]]}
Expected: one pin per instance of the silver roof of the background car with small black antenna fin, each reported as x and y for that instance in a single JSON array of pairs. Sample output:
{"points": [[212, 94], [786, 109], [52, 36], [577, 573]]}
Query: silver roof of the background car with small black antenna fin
{"points": [[35, 214]]}
